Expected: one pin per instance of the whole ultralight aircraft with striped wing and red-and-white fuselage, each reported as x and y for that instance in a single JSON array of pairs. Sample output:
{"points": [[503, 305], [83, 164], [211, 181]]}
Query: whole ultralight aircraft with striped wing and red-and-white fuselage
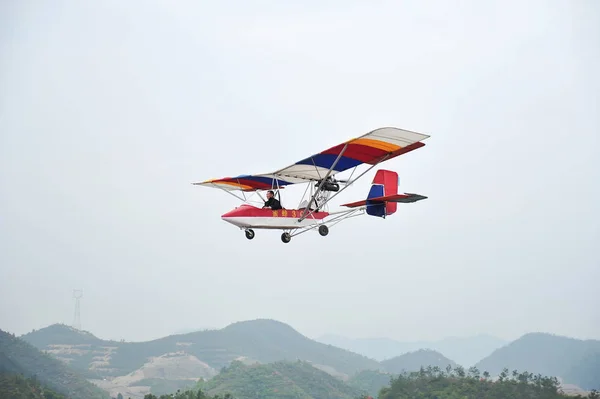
{"points": [[318, 173]]}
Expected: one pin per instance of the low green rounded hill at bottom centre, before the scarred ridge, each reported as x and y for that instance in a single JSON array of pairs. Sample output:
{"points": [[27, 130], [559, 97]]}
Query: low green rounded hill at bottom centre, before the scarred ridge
{"points": [[278, 380]]}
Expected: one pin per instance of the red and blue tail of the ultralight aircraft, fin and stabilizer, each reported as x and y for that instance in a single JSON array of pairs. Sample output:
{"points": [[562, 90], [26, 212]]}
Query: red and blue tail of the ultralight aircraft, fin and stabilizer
{"points": [[383, 196]]}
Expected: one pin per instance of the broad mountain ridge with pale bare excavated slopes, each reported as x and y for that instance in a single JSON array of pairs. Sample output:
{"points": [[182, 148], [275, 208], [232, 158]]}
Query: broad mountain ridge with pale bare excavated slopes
{"points": [[137, 368]]}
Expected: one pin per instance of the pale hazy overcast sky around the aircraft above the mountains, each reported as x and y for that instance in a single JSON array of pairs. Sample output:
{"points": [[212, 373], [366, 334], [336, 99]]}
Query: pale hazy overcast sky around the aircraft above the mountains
{"points": [[110, 109]]}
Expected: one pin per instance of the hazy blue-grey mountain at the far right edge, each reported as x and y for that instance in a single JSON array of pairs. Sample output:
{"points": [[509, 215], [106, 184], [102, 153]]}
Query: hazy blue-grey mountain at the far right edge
{"points": [[572, 360]]}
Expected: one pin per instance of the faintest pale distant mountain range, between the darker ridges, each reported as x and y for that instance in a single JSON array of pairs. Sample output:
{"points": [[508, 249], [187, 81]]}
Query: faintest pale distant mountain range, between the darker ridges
{"points": [[464, 350]]}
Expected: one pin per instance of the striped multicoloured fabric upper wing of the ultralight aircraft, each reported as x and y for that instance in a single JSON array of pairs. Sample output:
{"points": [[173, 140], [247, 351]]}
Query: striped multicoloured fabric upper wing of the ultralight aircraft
{"points": [[372, 148]]}
